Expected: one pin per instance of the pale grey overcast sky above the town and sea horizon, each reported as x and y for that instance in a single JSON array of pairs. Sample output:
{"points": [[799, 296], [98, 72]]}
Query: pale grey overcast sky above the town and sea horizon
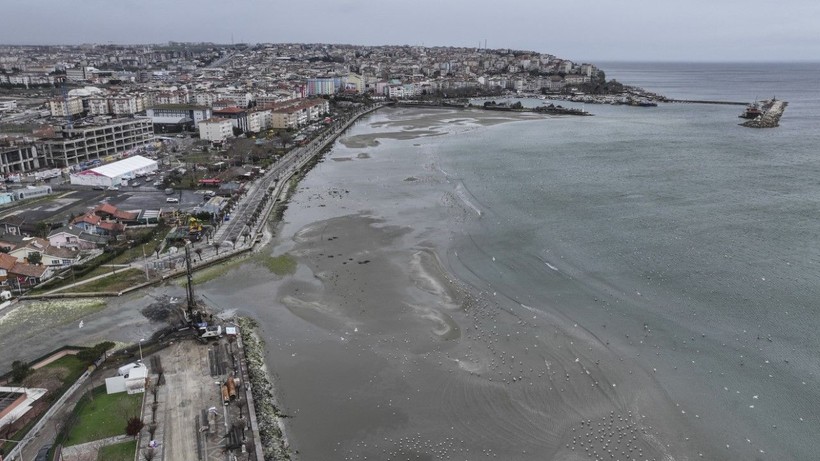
{"points": [[580, 30]]}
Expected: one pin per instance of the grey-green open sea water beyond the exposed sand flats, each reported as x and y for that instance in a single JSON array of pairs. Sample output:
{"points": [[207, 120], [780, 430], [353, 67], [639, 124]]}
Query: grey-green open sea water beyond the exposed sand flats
{"points": [[700, 230]]}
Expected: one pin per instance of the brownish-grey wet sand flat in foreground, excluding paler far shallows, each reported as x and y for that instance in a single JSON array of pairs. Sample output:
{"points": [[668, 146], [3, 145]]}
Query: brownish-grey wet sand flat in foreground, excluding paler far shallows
{"points": [[393, 358]]}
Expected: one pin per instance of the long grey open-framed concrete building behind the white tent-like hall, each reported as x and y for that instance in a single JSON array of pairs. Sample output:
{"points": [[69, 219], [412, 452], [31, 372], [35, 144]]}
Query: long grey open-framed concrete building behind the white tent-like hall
{"points": [[87, 143]]}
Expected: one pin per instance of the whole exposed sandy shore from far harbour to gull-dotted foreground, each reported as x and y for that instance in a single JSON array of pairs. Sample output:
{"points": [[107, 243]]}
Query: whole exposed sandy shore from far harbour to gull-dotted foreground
{"points": [[380, 352]]}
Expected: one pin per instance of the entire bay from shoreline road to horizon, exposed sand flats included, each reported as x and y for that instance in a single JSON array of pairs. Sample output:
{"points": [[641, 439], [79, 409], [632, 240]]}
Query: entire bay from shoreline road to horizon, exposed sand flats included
{"points": [[640, 284]]}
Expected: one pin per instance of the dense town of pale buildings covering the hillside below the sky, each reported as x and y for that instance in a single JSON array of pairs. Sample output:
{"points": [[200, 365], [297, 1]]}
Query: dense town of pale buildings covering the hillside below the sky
{"points": [[120, 97]]}
